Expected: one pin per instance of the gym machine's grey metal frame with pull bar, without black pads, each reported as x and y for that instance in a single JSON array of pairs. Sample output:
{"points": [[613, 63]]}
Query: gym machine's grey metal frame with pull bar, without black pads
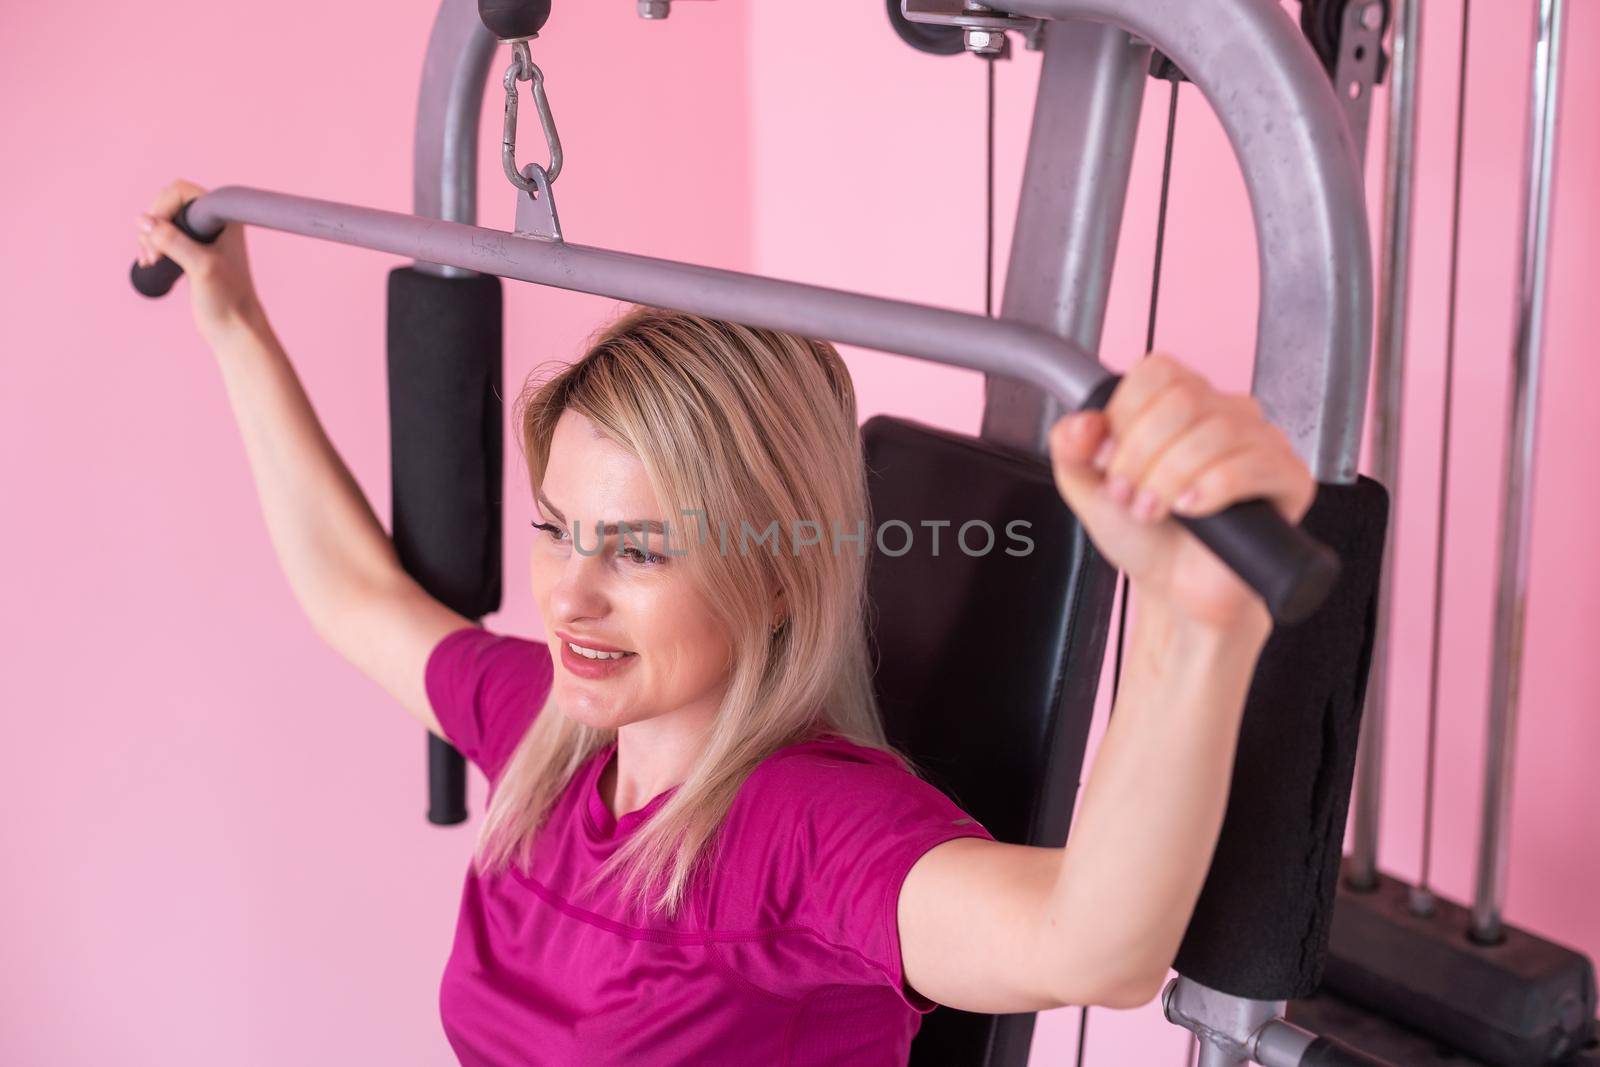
{"points": [[1300, 162]]}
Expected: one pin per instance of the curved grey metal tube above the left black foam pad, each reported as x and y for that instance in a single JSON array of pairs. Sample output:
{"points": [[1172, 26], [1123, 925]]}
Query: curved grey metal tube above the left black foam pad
{"points": [[446, 154]]}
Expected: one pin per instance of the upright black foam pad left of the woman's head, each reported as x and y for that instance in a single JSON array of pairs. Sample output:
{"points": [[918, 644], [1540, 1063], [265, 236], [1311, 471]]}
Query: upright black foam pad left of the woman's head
{"points": [[446, 434]]}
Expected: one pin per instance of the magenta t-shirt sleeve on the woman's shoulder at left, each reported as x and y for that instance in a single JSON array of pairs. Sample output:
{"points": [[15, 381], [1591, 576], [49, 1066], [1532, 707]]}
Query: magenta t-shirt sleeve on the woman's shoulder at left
{"points": [[487, 689]]}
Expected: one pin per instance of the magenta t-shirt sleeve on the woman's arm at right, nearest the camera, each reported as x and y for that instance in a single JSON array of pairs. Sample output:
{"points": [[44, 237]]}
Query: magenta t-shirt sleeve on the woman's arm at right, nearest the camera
{"points": [[862, 829]]}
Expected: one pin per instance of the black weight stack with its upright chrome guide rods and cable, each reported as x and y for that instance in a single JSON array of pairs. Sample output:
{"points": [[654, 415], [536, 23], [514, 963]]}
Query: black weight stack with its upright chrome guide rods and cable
{"points": [[1415, 977]]}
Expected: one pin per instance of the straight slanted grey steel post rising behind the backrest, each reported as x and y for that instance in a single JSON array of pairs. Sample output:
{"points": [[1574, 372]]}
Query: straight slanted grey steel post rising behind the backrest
{"points": [[1070, 214]]}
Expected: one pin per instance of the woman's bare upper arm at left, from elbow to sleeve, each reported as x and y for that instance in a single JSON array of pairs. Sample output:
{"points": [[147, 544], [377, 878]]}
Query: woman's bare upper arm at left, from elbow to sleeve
{"points": [[388, 633]]}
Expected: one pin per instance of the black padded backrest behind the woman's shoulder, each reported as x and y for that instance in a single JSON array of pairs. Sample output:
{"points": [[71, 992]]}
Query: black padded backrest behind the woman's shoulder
{"points": [[988, 665]]}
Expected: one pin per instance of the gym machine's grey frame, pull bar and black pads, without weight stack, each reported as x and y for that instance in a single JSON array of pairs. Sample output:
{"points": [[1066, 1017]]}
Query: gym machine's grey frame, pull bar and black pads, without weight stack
{"points": [[1262, 929]]}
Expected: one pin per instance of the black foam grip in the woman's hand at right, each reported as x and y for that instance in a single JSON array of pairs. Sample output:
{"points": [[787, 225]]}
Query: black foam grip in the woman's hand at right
{"points": [[1292, 570]]}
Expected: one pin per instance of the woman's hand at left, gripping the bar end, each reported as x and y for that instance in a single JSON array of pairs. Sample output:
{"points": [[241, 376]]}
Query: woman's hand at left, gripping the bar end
{"points": [[222, 292]]}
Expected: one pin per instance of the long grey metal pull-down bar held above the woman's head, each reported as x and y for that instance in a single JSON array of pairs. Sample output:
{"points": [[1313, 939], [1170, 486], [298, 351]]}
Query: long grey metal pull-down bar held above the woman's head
{"points": [[994, 346]]}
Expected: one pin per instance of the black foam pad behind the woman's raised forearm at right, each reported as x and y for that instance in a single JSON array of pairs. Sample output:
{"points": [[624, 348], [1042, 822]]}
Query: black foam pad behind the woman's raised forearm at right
{"points": [[1263, 919]]}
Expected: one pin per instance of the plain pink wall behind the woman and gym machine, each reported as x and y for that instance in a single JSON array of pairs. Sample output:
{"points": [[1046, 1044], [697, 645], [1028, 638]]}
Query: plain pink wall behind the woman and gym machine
{"points": [[215, 847]]}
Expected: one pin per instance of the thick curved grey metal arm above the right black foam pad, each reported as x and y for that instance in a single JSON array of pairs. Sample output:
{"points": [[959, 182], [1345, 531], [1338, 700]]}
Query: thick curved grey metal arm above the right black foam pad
{"points": [[1314, 329]]}
